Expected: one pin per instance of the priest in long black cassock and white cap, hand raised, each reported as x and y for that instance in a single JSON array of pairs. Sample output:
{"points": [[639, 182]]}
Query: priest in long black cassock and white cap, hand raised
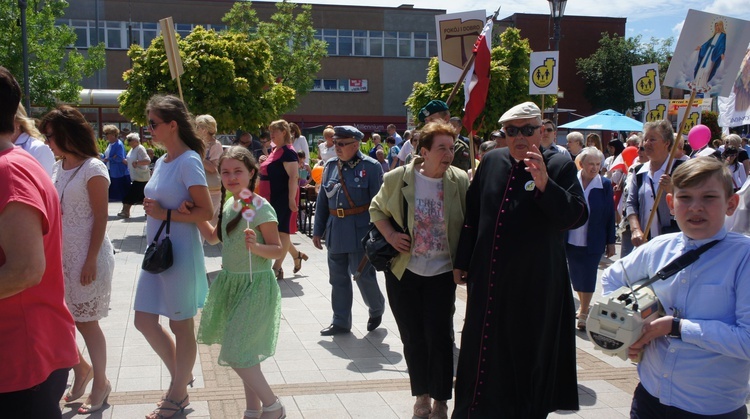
{"points": [[518, 356]]}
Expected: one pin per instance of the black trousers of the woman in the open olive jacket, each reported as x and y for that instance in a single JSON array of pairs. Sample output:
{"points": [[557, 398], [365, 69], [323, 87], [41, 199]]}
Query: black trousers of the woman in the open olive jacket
{"points": [[423, 308]]}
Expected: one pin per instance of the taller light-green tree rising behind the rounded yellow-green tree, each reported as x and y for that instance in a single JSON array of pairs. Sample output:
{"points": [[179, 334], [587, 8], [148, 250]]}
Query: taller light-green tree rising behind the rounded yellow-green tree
{"points": [[295, 52]]}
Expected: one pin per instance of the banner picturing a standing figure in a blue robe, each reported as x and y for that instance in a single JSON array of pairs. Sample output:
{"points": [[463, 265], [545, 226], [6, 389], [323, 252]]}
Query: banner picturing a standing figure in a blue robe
{"points": [[706, 58]]}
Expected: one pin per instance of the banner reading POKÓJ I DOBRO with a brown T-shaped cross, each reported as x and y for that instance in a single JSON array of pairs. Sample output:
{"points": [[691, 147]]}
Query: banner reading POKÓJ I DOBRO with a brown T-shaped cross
{"points": [[457, 33]]}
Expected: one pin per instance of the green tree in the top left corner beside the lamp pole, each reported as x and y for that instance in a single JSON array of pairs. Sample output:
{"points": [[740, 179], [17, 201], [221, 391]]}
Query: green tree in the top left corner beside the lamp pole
{"points": [[55, 69]]}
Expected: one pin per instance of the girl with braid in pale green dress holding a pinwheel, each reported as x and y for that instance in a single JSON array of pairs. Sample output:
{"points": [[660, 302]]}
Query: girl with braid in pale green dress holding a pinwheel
{"points": [[243, 306]]}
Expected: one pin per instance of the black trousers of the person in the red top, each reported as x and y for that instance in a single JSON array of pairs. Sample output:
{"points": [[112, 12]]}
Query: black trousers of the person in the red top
{"points": [[39, 402]]}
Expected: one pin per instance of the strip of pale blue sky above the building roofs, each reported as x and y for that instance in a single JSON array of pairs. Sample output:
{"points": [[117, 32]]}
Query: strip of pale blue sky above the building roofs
{"points": [[649, 18]]}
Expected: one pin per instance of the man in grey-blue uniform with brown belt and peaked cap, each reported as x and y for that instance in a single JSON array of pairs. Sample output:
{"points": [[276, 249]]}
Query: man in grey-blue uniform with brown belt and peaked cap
{"points": [[350, 181]]}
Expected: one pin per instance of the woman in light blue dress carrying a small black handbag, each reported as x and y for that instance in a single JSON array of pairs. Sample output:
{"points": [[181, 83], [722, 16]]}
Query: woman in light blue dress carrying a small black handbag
{"points": [[178, 292]]}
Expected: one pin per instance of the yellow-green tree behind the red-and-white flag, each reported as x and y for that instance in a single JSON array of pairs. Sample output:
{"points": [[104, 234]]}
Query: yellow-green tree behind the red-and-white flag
{"points": [[509, 83]]}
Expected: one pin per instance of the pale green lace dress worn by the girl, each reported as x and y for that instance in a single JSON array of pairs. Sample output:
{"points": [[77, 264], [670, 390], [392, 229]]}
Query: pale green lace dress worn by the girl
{"points": [[242, 313]]}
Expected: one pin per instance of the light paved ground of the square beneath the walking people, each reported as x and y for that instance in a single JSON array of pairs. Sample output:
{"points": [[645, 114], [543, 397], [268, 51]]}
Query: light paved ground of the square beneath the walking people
{"points": [[360, 375]]}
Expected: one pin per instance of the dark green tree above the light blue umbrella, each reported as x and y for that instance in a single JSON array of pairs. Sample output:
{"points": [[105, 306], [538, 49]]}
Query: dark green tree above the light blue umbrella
{"points": [[607, 72]]}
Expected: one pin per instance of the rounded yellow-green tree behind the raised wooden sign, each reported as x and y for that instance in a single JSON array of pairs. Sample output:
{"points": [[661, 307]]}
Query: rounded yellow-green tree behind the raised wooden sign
{"points": [[226, 75]]}
